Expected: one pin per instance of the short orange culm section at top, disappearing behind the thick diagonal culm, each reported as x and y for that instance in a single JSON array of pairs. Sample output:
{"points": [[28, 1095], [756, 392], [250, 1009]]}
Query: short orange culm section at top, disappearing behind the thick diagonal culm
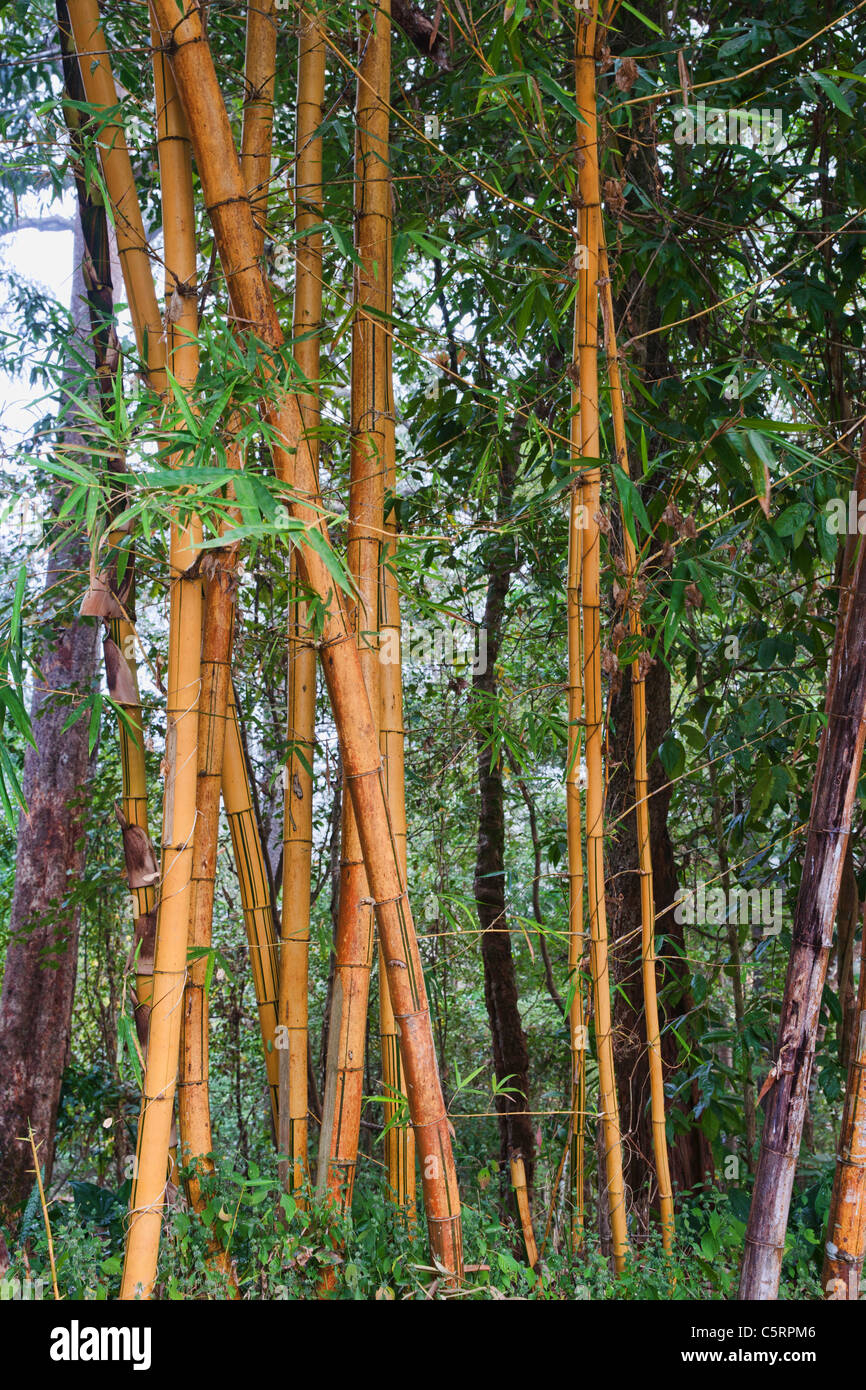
{"points": [[256, 137]]}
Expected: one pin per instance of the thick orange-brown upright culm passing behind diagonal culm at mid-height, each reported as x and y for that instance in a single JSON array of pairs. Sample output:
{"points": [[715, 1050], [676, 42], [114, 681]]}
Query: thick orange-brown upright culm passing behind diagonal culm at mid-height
{"points": [[372, 447]]}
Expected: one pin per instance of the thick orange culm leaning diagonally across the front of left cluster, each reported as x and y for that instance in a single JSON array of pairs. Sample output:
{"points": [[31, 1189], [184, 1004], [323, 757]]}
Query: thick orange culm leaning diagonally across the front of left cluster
{"points": [[230, 212]]}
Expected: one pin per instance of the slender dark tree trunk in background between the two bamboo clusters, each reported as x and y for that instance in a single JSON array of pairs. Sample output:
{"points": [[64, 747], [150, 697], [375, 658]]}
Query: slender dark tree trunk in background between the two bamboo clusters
{"points": [[511, 1054]]}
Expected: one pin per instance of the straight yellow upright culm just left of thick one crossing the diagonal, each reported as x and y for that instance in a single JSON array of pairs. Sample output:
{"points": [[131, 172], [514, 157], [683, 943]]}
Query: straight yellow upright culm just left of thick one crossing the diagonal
{"points": [[301, 735]]}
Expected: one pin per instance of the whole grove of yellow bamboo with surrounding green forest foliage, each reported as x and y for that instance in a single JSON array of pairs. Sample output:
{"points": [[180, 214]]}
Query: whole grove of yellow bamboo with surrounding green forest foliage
{"points": [[398, 330]]}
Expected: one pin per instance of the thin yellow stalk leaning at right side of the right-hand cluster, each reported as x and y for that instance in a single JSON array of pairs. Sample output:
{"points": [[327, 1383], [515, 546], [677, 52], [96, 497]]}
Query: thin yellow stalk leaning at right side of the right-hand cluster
{"points": [[642, 779]]}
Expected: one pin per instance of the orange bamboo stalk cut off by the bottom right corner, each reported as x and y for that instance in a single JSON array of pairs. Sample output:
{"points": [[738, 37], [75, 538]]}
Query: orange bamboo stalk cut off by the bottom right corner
{"points": [[846, 1242]]}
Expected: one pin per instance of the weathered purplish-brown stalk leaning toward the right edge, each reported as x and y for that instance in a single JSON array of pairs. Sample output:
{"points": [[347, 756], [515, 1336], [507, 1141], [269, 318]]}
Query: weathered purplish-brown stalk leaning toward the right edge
{"points": [[833, 797]]}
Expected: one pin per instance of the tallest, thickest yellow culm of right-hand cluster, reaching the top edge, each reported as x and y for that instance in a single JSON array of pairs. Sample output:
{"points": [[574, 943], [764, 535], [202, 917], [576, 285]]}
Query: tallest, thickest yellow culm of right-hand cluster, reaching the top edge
{"points": [[587, 375]]}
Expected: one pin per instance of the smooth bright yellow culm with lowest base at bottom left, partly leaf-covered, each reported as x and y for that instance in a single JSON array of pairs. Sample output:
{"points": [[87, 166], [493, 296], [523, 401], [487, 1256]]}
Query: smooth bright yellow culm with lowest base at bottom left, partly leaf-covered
{"points": [[181, 726]]}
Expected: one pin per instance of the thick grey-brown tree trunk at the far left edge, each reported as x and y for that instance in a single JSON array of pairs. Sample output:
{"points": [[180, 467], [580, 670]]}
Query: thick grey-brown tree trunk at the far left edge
{"points": [[41, 963]]}
